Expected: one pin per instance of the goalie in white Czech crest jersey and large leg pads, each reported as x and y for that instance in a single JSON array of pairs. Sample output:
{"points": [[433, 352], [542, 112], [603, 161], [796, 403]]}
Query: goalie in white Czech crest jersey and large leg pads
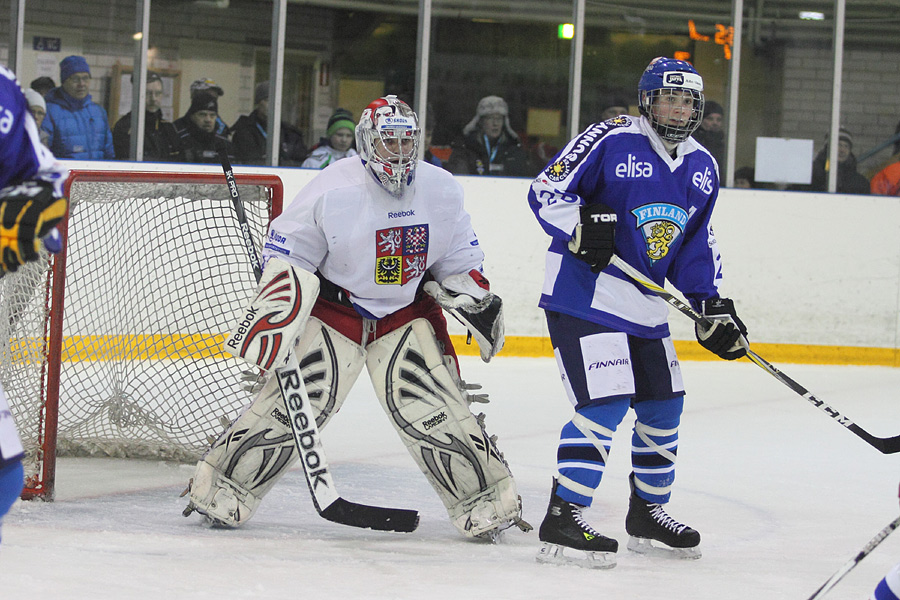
{"points": [[380, 243]]}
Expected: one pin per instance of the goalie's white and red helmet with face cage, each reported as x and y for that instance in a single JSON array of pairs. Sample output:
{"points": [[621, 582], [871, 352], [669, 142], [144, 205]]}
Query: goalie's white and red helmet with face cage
{"points": [[387, 138]]}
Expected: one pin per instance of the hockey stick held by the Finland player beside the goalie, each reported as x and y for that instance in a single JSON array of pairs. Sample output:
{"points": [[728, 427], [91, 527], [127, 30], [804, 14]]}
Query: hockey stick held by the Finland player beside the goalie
{"points": [[884, 445]]}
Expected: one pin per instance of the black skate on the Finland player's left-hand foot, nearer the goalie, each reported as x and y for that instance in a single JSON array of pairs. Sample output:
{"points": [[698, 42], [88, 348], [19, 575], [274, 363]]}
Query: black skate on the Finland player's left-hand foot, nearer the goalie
{"points": [[564, 528]]}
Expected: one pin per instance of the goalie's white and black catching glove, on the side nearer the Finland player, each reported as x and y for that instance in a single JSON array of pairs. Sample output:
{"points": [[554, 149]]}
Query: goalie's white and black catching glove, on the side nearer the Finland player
{"points": [[468, 298]]}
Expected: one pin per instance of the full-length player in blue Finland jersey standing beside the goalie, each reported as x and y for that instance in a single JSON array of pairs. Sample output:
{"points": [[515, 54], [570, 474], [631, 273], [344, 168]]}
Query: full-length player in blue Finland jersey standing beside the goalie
{"points": [[643, 189]]}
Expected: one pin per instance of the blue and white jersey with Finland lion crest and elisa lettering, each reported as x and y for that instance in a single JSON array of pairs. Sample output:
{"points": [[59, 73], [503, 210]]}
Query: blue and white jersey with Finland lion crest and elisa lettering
{"points": [[663, 206]]}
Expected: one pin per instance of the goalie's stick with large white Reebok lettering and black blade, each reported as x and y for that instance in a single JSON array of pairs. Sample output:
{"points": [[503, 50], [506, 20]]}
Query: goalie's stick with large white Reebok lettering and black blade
{"points": [[303, 422]]}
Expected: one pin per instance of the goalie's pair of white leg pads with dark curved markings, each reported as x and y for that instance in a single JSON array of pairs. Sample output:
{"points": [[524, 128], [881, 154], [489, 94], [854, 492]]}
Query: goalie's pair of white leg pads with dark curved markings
{"points": [[421, 396]]}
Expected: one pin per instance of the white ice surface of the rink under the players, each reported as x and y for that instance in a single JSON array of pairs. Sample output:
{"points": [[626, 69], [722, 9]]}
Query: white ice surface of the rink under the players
{"points": [[782, 495]]}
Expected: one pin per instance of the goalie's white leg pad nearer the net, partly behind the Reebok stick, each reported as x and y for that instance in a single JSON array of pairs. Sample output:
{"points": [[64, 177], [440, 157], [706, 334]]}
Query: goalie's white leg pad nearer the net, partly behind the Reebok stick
{"points": [[258, 448]]}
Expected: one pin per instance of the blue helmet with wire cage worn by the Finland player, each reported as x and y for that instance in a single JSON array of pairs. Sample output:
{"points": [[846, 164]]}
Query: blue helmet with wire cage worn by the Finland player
{"points": [[665, 76]]}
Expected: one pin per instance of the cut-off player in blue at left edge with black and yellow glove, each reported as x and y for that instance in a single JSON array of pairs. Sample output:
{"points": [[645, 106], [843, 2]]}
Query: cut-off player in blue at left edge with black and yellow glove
{"points": [[31, 205]]}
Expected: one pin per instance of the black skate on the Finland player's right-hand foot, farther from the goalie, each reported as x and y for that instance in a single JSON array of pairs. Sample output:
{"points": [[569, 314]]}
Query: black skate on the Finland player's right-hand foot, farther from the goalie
{"points": [[648, 522]]}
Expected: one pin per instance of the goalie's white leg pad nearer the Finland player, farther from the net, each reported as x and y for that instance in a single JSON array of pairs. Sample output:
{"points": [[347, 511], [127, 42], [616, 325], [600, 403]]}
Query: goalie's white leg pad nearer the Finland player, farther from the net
{"points": [[447, 442]]}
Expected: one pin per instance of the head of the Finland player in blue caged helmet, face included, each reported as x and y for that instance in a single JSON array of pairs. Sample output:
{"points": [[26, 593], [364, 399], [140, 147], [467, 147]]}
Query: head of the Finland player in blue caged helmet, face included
{"points": [[671, 97]]}
